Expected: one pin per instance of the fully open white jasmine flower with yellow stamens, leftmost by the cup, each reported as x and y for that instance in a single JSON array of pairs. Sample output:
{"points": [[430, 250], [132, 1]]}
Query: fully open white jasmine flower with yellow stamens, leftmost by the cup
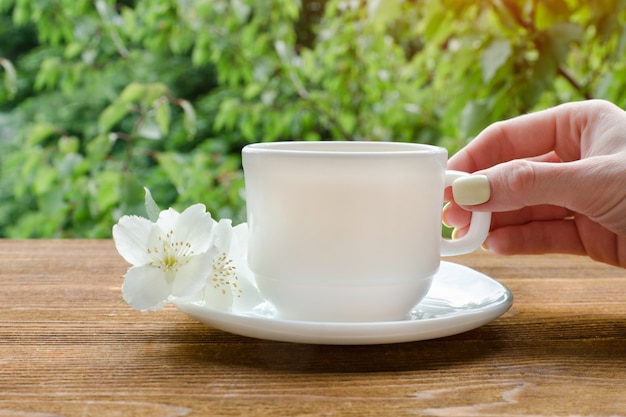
{"points": [[171, 257]]}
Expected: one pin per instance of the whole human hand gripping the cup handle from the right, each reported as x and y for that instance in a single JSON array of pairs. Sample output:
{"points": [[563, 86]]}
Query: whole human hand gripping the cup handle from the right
{"points": [[557, 180]]}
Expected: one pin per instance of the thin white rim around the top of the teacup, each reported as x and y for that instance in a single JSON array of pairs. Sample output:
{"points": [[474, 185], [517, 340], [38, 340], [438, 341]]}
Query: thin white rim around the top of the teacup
{"points": [[344, 148]]}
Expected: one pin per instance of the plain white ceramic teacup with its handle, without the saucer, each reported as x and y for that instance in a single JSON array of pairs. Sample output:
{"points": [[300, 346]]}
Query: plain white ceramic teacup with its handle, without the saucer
{"points": [[348, 231]]}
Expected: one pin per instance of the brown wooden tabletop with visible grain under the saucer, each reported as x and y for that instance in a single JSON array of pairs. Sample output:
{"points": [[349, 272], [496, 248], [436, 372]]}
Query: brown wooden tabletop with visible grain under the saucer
{"points": [[68, 347]]}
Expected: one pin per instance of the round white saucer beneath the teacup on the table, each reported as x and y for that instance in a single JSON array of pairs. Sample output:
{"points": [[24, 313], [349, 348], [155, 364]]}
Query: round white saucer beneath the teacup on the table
{"points": [[459, 300]]}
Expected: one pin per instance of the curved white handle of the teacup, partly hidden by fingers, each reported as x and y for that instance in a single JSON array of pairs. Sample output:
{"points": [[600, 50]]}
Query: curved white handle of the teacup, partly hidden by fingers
{"points": [[478, 231]]}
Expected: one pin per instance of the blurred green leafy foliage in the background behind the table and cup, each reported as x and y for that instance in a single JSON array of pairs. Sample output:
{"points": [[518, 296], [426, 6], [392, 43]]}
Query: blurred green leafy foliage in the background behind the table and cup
{"points": [[101, 98]]}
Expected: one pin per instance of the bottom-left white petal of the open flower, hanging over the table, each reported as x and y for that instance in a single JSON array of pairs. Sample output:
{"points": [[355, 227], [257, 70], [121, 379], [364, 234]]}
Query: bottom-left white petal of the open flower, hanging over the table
{"points": [[145, 288]]}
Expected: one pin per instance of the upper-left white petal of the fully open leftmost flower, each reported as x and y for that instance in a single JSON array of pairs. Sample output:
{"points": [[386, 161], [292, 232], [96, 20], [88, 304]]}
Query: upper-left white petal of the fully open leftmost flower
{"points": [[130, 235]]}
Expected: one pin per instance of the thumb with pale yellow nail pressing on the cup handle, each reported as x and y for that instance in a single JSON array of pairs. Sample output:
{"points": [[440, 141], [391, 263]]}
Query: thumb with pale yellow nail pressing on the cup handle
{"points": [[590, 186]]}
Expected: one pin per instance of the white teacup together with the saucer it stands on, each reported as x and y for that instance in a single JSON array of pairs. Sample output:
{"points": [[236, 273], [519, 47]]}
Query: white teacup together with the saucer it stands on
{"points": [[345, 248]]}
